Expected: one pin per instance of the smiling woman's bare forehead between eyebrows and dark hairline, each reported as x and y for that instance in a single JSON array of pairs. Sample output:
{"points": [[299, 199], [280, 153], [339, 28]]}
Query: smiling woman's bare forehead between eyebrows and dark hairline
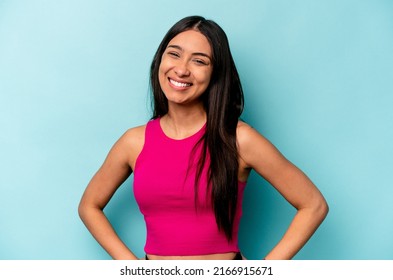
{"points": [[191, 41]]}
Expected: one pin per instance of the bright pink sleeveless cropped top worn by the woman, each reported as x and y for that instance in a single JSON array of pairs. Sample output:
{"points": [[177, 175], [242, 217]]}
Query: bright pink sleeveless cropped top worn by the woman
{"points": [[164, 177]]}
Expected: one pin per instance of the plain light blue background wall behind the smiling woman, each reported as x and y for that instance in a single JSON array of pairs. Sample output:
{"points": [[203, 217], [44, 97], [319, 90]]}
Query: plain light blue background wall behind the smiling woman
{"points": [[318, 82]]}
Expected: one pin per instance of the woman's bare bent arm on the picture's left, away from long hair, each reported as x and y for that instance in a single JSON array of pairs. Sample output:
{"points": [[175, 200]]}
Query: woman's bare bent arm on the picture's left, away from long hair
{"points": [[114, 171]]}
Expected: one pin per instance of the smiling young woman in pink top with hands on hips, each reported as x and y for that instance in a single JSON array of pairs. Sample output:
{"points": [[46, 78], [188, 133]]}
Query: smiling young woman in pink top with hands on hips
{"points": [[192, 160]]}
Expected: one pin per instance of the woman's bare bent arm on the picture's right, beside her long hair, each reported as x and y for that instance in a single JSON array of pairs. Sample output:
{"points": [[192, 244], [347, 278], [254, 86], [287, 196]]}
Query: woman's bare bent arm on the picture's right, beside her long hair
{"points": [[258, 153]]}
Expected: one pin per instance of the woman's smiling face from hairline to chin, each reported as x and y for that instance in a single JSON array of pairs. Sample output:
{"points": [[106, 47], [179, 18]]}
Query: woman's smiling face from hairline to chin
{"points": [[186, 68]]}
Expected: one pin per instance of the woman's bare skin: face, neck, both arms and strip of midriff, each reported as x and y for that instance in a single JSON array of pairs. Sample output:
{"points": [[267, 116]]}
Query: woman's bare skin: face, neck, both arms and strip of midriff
{"points": [[184, 75]]}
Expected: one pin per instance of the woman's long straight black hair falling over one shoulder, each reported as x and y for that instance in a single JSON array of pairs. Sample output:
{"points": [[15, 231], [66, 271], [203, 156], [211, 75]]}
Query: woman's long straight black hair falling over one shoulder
{"points": [[223, 102]]}
